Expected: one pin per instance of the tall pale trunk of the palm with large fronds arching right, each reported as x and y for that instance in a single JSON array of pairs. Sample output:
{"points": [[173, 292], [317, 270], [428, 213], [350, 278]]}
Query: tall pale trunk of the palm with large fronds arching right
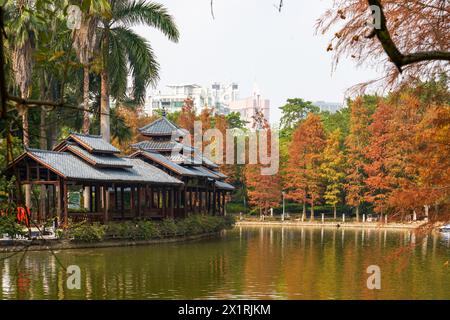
{"points": [[104, 101]]}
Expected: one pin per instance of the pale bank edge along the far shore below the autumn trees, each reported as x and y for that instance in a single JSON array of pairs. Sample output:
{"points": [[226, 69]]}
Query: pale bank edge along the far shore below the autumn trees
{"points": [[332, 224]]}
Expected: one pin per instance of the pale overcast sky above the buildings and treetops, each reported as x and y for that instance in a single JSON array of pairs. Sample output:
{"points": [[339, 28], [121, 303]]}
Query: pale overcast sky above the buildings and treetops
{"points": [[250, 41]]}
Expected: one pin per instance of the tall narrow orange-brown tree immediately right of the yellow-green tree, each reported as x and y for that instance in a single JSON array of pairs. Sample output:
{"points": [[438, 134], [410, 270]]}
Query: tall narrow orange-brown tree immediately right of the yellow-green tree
{"points": [[356, 143]]}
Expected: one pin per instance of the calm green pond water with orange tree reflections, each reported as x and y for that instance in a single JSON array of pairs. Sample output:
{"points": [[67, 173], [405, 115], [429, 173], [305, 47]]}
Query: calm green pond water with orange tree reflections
{"points": [[245, 263]]}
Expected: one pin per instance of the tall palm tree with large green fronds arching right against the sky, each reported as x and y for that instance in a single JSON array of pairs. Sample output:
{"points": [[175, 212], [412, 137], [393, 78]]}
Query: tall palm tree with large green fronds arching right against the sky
{"points": [[123, 50]]}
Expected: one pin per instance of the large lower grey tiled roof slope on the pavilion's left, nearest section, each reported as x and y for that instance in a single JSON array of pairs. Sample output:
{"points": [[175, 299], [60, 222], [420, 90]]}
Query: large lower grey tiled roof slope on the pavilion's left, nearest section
{"points": [[71, 167]]}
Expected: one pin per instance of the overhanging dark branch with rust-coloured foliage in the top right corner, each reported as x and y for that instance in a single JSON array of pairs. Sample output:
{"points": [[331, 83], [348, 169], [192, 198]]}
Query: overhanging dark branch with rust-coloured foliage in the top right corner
{"points": [[410, 38]]}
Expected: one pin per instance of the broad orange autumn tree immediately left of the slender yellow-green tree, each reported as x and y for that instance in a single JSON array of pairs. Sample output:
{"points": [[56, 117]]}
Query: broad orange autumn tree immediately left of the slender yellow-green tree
{"points": [[303, 180]]}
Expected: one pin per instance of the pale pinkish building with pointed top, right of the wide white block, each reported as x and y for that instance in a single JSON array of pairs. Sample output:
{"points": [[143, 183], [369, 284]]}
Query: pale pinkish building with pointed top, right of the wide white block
{"points": [[247, 107]]}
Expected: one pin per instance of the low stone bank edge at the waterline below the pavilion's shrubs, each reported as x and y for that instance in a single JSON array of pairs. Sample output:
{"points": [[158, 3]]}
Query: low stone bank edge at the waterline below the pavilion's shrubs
{"points": [[56, 244]]}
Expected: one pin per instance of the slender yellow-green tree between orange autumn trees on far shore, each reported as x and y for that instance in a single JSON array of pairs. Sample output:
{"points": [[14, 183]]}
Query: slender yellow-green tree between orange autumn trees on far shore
{"points": [[332, 170]]}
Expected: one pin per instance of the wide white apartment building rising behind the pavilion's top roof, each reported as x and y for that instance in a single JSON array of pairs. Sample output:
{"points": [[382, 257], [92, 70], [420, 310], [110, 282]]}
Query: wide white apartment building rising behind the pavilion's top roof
{"points": [[217, 96]]}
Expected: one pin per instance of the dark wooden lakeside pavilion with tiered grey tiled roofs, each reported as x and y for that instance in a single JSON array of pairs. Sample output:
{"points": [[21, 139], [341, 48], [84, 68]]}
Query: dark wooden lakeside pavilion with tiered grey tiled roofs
{"points": [[163, 178]]}
